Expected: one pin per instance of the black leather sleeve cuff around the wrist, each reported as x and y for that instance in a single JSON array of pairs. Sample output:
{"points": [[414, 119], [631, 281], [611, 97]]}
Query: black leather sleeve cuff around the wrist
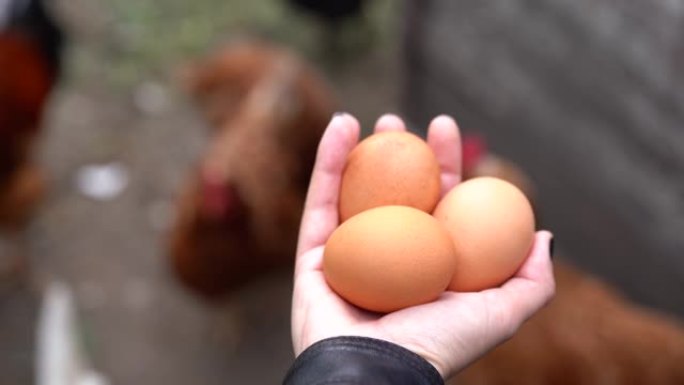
{"points": [[360, 360]]}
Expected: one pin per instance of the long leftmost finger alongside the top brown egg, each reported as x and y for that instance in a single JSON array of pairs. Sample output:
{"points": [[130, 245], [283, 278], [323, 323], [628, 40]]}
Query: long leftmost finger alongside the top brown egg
{"points": [[320, 215]]}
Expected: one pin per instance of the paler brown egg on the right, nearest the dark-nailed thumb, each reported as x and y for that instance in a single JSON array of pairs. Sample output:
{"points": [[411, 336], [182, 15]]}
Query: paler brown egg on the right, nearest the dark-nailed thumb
{"points": [[492, 225]]}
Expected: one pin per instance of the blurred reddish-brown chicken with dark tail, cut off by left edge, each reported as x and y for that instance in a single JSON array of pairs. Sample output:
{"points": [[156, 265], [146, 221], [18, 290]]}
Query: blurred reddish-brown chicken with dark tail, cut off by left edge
{"points": [[30, 47]]}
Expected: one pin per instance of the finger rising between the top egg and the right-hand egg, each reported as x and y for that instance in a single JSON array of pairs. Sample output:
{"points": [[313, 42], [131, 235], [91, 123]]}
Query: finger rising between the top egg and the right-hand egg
{"points": [[444, 138]]}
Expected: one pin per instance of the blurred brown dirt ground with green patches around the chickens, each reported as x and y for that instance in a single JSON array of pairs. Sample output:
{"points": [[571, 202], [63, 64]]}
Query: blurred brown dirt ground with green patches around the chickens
{"points": [[120, 104]]}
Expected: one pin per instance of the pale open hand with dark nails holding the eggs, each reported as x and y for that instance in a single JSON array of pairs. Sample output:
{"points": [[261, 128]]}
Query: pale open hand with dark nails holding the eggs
{"points": [[450, 332]]}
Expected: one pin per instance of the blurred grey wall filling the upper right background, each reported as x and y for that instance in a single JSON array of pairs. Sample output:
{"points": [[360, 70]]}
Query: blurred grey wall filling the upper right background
{"points": [[587, 96]]}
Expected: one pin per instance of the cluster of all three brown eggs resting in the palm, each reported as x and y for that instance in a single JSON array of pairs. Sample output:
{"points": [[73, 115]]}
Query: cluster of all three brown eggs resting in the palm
{"points": [[401, 244]]}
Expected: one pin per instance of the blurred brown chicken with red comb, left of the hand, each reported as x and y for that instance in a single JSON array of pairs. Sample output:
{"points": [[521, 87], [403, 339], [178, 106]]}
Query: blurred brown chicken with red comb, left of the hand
{"points": [[240, 211]]}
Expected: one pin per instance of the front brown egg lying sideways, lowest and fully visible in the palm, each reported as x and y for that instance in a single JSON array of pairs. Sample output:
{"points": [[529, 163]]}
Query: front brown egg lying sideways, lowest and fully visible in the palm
{"points": [[389, 258]]}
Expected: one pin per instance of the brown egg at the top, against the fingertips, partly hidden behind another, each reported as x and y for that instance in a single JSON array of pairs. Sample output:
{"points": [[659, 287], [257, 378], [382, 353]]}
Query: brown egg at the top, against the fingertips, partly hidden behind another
{"points": [[389, 168]]}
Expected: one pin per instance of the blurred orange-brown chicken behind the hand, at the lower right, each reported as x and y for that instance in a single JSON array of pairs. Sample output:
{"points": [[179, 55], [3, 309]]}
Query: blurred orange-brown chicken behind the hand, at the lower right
{"points": [[588, 334]]}
